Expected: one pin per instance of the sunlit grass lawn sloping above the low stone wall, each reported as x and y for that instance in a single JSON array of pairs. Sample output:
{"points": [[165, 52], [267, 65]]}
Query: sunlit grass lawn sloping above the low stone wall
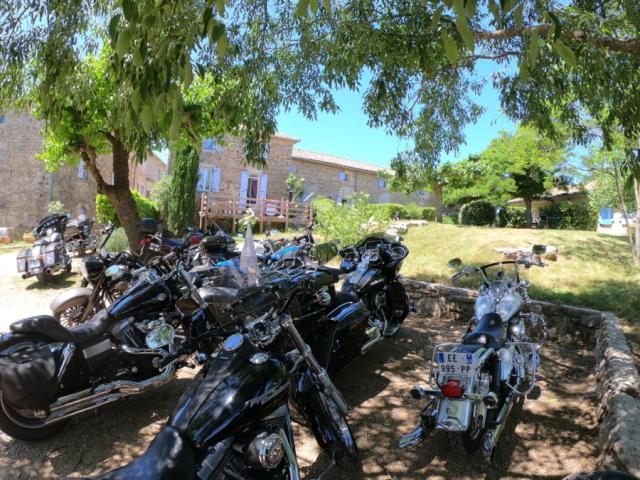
{"points": [[593, 270]]}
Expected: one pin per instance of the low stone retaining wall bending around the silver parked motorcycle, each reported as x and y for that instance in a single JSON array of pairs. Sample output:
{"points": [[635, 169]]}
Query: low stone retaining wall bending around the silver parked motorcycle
{"points": [[617, 379]]}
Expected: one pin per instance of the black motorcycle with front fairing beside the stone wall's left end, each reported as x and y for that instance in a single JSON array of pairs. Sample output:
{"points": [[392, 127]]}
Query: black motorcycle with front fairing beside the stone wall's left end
{"points": [[374, 266]]}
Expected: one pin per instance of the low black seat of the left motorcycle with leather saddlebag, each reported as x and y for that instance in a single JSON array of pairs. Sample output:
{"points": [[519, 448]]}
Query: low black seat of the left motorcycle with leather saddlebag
{"points": [[51, 328]]}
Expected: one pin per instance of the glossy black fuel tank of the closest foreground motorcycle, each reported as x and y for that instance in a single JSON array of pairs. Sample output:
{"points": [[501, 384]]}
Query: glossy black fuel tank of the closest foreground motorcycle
{"points": [[238, 388]]}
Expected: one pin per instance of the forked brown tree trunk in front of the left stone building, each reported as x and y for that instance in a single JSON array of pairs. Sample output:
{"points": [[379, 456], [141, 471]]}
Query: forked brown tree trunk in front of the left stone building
{"points": [[119, 194]]}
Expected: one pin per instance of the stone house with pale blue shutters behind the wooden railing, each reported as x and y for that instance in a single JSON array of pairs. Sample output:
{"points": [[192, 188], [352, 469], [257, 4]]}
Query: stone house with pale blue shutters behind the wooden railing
{"points": [[223, 169]]}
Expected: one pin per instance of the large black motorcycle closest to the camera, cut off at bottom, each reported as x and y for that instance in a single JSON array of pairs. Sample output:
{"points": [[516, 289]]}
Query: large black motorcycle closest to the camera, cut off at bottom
{"points": [[234, 421]]}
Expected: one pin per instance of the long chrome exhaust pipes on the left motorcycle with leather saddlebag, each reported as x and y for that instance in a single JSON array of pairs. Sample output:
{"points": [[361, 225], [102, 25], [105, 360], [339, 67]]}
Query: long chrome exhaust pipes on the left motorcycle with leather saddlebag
{"points": [[89, 399]]}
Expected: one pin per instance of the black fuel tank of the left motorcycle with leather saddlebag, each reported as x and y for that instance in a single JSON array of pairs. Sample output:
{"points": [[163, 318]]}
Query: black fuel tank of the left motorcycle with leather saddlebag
{"points": [[141, 299]]}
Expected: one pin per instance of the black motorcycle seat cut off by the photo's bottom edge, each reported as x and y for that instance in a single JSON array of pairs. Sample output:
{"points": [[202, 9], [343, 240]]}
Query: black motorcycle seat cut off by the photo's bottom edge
{"points": [[168, 457]]}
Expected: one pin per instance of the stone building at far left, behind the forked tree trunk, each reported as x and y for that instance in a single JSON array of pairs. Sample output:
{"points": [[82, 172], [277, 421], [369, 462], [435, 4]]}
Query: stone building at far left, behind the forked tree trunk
{"points": [[27, 187]]}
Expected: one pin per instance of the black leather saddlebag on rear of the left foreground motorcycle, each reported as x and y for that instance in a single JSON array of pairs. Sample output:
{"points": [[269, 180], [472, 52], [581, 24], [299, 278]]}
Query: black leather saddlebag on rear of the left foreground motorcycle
{"points": [[28, 380]]}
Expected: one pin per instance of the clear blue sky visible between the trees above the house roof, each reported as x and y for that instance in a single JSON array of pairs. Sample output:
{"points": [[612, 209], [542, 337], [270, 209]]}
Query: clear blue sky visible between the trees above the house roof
{"points": [[346, 133]]}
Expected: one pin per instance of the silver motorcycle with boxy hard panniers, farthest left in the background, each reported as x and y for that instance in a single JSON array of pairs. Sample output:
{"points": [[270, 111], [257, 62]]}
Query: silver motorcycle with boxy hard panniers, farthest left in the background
{"points": [[48, 253]]}
